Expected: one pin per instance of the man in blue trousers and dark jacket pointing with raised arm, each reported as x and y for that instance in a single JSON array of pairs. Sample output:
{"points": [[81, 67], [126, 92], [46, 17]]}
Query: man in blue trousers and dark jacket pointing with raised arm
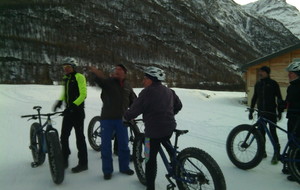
{"points": [[116, 96]]}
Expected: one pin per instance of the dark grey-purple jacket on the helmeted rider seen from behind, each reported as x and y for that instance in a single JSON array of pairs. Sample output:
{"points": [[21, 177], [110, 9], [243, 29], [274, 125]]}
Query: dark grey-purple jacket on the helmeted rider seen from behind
{"points": [[158, 104]]}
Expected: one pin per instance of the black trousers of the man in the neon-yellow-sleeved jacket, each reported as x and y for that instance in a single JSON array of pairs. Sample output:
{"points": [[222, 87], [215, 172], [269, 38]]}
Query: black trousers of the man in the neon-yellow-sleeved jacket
{"points": [[76, 120]]}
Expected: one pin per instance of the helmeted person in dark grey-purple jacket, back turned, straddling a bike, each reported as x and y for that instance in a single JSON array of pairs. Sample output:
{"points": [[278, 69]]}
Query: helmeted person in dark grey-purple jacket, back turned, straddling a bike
{"points": [[158, 104]]}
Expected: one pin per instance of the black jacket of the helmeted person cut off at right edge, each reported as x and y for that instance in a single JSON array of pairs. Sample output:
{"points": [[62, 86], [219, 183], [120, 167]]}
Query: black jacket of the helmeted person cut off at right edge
{"points": [[293, 99]]}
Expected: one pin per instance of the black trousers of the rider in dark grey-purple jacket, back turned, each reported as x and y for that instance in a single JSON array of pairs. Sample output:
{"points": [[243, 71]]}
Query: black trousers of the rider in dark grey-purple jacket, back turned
{"points": [[151, 164]]}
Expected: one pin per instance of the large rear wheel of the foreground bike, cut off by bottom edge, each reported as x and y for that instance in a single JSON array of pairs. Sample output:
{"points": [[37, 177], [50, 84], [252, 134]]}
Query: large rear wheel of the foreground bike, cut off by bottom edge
{"points": [[198, 170]]}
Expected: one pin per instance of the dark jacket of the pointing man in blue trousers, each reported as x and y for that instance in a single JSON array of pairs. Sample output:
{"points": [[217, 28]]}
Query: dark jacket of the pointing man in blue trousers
{"points": [[116, 97]]}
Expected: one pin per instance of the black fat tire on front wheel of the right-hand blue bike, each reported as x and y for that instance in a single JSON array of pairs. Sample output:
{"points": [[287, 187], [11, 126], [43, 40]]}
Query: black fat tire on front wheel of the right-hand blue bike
{"points": [[258, 138]]}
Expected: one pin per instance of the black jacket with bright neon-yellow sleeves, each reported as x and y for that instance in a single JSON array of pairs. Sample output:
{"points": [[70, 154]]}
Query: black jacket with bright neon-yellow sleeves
{"points": [[74, 90]]}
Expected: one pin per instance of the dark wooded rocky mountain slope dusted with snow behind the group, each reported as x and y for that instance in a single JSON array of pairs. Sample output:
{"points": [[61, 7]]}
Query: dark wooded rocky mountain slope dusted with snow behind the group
{"points": [[200, 43]]}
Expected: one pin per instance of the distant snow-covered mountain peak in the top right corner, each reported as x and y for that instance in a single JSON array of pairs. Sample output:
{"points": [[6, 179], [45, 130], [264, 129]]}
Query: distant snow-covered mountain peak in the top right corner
{"points": [[279, 10]]}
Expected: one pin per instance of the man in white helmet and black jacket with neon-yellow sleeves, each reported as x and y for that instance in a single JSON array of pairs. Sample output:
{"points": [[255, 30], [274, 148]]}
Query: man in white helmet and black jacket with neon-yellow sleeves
{"points": [[74, 94]]}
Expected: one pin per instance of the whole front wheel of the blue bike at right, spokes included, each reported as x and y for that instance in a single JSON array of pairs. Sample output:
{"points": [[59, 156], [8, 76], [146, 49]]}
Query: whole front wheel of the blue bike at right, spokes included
{"points": [[245, 147]]}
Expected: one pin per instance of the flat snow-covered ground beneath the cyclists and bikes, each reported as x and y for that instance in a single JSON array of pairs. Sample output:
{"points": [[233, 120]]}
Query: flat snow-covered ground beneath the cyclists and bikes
{"points": [[209, 116]]}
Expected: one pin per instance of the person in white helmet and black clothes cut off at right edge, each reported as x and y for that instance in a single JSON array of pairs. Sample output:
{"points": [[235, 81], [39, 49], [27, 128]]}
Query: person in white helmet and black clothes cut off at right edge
{"points": [[292, 104]]}
